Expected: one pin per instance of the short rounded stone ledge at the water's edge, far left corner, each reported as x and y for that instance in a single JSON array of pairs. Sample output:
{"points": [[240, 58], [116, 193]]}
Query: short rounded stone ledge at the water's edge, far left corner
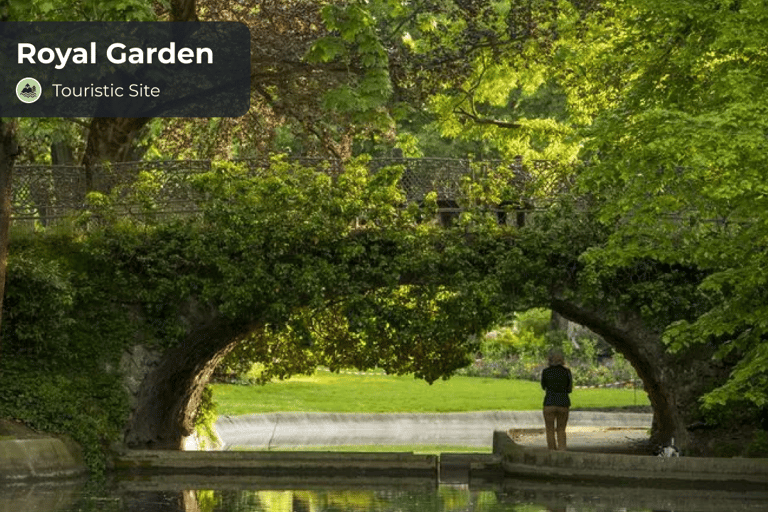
{"points": [[39, 458]]}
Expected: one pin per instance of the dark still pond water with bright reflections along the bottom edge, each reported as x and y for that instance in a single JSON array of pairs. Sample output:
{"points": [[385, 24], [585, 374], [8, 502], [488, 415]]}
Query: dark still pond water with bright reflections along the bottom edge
{"points": [[170, 493]]}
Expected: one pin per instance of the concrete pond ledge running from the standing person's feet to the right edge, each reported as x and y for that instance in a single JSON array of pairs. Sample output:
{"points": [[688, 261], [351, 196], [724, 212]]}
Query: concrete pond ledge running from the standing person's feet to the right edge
{"points": [[522, 462]]}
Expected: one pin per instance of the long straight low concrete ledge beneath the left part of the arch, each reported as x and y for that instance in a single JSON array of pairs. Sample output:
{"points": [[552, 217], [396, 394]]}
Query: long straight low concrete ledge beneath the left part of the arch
{"points": [[278, 463]]}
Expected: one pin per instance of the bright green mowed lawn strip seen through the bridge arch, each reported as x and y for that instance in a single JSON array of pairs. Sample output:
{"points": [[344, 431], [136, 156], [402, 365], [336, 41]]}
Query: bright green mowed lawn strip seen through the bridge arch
{"points": [[380, 393]]}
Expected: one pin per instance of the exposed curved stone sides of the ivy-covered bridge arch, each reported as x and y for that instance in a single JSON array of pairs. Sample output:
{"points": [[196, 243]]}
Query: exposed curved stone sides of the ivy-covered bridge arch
{"points": [[170, 391]]}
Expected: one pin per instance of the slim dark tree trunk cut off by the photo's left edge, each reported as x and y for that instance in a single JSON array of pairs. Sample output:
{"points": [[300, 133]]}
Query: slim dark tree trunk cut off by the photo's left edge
{"points": [[8, 151]]}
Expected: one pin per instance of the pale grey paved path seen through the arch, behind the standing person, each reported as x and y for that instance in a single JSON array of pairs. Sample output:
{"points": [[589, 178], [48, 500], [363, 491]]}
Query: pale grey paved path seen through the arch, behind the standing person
{"points": [[286, 430]]}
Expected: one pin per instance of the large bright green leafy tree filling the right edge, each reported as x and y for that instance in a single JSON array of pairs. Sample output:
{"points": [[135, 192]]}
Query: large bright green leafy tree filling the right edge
{"points": [[681, 165]]}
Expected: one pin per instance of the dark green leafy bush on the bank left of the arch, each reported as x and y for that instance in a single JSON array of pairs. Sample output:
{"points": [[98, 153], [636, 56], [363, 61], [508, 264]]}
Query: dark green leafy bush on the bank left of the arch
{"points": [[63, 335]]}
